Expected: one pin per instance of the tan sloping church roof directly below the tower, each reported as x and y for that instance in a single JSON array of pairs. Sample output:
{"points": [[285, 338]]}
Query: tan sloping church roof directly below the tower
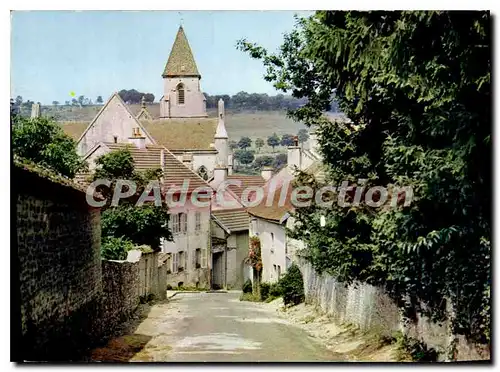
{"points": [[183, 133]]}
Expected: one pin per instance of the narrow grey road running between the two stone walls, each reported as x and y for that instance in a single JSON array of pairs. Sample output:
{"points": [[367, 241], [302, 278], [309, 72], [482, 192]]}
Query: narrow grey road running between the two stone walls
{"points": [[215, 327]]}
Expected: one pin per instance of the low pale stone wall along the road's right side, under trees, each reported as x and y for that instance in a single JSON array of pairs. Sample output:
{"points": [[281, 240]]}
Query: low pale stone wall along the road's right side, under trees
{"points": [[371, 309]]}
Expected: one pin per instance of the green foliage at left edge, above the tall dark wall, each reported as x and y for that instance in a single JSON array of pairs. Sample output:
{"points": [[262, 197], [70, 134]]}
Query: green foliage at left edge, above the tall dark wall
{"points": [[44, 142]]}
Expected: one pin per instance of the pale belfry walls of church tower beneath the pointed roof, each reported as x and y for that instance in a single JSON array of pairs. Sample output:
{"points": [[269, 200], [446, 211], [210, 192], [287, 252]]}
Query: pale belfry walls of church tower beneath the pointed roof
{"points": [[194, 100]]}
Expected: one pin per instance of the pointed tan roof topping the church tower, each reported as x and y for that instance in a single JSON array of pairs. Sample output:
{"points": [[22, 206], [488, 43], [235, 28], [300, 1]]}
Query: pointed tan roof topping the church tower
{"points": [[181, 61]]}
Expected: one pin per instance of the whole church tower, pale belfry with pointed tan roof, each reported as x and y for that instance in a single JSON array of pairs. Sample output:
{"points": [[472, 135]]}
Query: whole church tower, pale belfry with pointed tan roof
{"points": [[182, 97]]}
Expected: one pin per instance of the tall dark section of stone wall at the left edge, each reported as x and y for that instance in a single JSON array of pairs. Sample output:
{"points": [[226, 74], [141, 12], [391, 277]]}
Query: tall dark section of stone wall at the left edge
{"points": [[57, 253]]}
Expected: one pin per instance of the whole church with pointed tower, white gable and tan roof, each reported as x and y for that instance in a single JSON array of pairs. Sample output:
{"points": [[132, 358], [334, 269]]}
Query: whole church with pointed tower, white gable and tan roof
{"points": [[181, 124]]}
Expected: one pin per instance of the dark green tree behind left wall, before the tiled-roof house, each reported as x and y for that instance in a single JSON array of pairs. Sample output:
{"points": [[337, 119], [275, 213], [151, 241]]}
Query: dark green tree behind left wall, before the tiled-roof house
{"points": [[141, 225]]}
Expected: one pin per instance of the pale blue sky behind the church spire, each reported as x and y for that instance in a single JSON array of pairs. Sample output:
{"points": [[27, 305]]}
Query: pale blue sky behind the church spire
{"points": [[91, 53]]}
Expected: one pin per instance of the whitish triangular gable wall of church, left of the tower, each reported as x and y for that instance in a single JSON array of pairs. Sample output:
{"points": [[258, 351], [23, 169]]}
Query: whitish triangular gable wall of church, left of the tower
{"points": [[115, 120]]}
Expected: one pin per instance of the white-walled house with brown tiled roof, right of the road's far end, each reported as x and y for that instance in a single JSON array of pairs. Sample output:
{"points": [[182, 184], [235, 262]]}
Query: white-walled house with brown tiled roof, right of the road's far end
{"points": [[270, 218]]}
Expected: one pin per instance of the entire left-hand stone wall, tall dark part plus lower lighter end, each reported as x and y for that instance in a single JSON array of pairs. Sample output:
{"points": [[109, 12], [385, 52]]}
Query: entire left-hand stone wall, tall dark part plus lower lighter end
{"points": [[67, 298]]}
